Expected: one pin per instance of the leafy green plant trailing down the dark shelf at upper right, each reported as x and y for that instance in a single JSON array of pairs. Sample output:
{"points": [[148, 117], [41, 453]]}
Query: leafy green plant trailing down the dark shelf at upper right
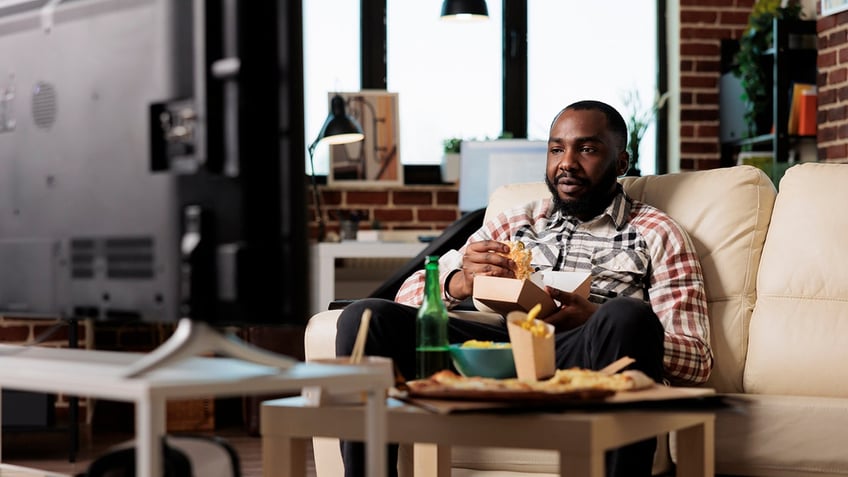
{"points": [[756, 40]]}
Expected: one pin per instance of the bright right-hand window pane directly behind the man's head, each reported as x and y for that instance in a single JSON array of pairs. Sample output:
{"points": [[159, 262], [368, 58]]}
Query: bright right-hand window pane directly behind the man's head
{"points": [[577, 50]]}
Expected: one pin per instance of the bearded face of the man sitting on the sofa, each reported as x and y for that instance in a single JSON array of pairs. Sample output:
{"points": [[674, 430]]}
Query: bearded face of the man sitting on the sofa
{"points": [[584, 161]]}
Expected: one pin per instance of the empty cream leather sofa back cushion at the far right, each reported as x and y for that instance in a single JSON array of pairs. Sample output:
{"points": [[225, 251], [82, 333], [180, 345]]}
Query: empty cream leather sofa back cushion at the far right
{"points": [[800, 324]]}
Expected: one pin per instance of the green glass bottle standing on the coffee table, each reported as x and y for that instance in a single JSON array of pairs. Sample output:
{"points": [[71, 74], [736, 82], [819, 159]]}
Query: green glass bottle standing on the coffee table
{"points": [[431, 335]]}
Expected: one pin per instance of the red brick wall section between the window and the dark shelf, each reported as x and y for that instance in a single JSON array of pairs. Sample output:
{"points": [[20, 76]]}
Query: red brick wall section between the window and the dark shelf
{"points": [[703, 24]]}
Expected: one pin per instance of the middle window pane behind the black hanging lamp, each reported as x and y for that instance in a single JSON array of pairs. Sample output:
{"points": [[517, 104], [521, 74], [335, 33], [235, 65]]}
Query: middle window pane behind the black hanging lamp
{"points": [[448, 77]]}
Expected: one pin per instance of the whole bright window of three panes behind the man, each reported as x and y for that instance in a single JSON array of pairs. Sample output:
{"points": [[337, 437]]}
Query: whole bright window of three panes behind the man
{"points": [[449, 76]]}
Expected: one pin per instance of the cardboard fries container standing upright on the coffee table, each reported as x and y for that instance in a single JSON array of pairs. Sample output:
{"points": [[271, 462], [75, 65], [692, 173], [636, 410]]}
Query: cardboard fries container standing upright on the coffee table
{"points": [[533, 355]]}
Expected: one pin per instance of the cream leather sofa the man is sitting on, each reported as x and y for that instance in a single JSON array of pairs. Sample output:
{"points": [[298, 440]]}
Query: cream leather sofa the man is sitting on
{"points": [[776, 269]]}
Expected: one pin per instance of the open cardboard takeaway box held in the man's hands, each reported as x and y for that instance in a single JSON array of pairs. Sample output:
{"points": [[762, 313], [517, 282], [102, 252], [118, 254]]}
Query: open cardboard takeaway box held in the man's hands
{"points": [[504, 295]]}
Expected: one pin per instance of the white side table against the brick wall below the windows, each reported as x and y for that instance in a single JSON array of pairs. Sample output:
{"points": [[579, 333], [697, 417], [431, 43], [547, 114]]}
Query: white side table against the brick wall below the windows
{"points": [[324, 257]]}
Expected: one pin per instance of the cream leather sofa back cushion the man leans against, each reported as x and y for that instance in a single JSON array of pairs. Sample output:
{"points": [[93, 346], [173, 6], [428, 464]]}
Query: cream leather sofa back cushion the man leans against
{"points": [[726, 212]]}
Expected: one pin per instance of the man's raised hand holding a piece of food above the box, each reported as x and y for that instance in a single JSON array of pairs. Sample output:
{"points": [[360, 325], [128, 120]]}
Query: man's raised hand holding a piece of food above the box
{"points": [[481, 258]]}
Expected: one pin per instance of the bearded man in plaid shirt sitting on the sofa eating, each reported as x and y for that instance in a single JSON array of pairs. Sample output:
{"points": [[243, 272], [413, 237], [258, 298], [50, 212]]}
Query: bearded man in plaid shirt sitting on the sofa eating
{"points": [[647, 297]]}
